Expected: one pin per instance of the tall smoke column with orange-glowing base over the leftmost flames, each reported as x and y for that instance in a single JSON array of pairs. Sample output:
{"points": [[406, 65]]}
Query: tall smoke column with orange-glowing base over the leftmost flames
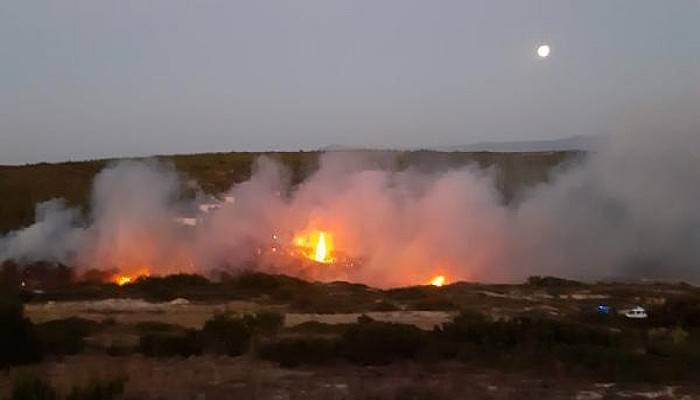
{"points": [[131, 225]]}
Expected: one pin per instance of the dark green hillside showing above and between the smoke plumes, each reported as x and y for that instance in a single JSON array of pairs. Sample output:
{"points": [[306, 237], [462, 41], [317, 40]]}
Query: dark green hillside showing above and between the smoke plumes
{"points": [[21, 187]]}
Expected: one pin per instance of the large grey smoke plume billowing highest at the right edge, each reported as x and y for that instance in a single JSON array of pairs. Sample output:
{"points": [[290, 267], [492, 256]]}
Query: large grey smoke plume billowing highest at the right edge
{"points": [[631, 210]]}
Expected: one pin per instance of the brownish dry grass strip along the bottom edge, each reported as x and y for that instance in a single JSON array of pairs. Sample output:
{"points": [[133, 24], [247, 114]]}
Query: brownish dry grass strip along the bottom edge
{"points": [[219, 378]]}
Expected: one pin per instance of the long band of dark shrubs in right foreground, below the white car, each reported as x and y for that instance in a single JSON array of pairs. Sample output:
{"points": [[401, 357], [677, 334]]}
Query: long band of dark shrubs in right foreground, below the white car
{"points": [[661, 355]]}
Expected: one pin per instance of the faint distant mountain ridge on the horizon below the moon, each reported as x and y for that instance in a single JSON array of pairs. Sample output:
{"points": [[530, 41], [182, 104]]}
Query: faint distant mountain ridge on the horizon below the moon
{"points": [[579, 142]]}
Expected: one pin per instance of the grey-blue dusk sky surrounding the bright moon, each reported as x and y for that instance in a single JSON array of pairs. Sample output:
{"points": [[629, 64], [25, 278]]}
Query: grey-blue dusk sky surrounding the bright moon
{"points": [[85, 79]]}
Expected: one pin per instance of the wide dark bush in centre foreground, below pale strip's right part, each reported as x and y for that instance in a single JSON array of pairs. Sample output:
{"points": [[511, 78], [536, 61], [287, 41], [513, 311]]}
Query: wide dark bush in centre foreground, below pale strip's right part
{"points": [[379, 343]]}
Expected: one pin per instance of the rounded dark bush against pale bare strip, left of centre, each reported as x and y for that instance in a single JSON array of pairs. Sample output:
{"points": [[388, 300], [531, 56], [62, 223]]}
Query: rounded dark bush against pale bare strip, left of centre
{"points": [[223, 334]]}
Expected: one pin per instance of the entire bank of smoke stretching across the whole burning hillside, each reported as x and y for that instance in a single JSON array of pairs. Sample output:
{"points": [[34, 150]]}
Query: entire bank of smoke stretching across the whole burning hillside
{"points": [[630, 210]]}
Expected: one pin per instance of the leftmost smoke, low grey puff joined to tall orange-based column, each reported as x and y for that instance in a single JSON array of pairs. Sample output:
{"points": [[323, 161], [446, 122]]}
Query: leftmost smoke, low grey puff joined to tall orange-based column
{"points": [[129, 226]]}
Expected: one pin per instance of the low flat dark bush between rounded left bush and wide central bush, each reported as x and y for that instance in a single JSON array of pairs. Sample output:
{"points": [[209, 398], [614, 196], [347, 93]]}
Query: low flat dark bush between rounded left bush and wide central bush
{"points": [[291, 352]]}
